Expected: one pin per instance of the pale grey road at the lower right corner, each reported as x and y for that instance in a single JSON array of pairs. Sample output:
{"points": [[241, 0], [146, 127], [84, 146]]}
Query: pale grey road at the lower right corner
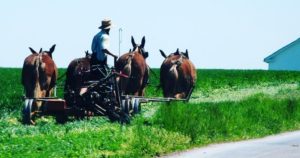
{"points": [[286, 145]]}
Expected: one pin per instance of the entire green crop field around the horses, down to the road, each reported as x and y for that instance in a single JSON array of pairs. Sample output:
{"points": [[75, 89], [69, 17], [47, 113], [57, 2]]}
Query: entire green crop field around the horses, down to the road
{"points": [[227, 105]]}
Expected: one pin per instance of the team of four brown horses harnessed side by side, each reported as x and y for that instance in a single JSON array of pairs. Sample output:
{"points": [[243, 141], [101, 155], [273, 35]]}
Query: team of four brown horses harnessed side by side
{"points": [[177, 73]]}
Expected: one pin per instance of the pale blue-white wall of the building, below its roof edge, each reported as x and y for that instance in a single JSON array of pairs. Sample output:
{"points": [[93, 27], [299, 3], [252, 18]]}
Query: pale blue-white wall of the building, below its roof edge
{"points": [[287, 60]]}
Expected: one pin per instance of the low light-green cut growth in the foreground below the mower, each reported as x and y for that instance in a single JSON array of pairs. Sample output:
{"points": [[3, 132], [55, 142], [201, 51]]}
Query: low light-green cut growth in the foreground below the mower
{"points": [[89, 138]]}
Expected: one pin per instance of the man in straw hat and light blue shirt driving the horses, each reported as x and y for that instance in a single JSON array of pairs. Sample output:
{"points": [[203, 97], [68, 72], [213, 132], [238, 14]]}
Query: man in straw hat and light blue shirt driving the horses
{"points": [[100, 46]]}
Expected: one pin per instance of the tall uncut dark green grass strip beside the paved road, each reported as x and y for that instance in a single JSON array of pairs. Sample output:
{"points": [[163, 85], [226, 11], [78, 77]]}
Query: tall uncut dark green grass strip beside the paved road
{"points": [[256, 116]]}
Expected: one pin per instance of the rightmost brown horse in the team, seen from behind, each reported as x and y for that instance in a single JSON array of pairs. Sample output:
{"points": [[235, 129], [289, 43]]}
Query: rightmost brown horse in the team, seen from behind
{"points": [[177, 75]]}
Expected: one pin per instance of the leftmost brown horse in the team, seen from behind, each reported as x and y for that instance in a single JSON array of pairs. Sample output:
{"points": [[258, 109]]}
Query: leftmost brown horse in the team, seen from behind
{"points": [[39, 76]]}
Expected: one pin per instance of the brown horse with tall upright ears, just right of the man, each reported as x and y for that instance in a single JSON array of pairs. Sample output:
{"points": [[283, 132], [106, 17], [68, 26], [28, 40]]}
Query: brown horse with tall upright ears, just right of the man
{"points": [[133, 64]]}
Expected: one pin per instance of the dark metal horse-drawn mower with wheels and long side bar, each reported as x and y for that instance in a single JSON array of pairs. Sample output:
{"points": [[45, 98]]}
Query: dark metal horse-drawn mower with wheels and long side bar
{"points": [[94, 98]]}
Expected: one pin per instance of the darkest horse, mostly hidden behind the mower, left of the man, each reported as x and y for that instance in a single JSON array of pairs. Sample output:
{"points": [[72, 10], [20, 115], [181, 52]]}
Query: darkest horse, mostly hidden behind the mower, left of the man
{"points": [[77, 73]]}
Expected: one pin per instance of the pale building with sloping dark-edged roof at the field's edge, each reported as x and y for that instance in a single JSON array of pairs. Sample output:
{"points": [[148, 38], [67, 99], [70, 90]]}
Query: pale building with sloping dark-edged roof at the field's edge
{"points": [[286, 58]]}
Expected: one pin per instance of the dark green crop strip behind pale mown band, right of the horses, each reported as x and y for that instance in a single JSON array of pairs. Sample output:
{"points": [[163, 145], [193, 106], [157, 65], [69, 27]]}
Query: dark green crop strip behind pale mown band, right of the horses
{"points": [[215, 79]]}
